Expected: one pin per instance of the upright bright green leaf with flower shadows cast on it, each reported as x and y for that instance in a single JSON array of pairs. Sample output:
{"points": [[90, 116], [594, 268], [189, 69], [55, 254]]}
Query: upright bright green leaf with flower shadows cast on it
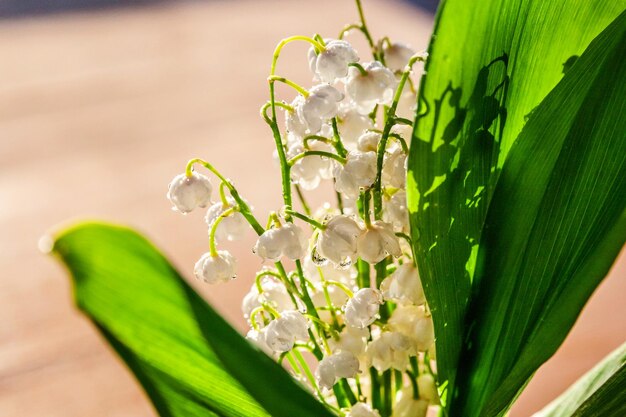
{"points": [[491, 63]]}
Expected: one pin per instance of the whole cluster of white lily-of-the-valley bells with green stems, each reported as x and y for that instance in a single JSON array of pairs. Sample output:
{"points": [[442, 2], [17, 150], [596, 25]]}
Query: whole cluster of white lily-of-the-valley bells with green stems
{"points": [[351, 301]]}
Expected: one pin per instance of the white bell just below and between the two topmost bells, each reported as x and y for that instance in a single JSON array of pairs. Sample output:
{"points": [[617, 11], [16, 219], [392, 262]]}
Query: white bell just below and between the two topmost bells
{"points": [[376, 86]]}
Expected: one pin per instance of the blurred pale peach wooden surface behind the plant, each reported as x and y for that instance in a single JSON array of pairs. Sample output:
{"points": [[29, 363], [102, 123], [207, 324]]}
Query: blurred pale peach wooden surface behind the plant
{"points": [[97, 113]]}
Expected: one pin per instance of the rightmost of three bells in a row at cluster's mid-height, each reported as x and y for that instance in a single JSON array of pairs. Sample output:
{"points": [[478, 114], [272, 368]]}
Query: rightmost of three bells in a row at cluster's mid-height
{"points": [[377, 242]]}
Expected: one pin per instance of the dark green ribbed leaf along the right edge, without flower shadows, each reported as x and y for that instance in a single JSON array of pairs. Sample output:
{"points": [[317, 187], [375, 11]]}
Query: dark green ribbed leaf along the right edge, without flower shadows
{"points": [[554, 227]]}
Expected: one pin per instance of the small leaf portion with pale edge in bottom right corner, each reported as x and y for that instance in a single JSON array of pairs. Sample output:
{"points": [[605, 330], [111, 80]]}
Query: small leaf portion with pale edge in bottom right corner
{"points": [[600, 392]]}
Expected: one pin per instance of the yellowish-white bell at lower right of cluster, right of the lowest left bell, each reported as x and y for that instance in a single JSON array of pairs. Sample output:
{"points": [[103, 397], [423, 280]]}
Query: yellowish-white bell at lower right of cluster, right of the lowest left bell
{"points": [[389, 350]]}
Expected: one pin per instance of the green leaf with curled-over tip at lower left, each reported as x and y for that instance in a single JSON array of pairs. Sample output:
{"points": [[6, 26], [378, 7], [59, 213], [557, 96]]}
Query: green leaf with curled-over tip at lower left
{"points": [[188, 359]]}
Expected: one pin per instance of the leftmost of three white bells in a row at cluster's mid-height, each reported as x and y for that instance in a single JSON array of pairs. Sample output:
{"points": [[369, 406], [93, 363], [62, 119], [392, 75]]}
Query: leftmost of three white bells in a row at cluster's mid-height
{"points": [[288, 240]]}
